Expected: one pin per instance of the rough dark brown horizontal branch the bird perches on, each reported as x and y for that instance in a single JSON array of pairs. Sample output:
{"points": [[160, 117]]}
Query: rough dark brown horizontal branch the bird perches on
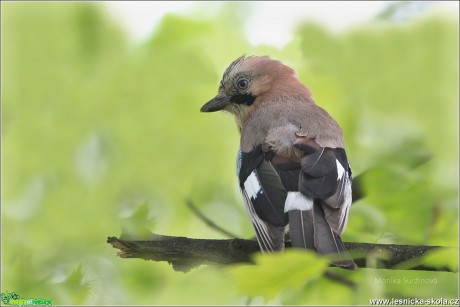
{"points": [[186, 253]]}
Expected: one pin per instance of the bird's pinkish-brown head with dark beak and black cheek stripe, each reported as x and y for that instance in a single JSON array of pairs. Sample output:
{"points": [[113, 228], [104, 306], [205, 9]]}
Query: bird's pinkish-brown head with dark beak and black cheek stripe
{"points": [[249, 81]]}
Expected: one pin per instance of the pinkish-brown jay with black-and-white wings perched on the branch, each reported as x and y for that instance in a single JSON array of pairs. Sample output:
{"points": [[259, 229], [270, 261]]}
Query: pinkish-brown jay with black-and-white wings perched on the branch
{"points": [[292, 167]]}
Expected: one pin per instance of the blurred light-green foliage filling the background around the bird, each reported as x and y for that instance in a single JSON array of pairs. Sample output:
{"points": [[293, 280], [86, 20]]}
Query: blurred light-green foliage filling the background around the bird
{"points": [[99, 134]]}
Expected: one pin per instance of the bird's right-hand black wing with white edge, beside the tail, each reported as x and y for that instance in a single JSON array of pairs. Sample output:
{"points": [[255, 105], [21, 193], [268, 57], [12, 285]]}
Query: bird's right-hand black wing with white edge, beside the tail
{"points": [[326, 175]]}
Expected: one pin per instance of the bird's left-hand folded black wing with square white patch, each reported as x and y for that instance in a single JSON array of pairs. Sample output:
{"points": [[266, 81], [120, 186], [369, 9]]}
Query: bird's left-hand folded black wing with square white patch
{"points": [[264, 197]]}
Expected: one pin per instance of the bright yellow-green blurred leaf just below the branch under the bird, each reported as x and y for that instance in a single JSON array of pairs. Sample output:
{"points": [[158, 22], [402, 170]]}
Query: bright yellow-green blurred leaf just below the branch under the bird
{"points": [[272, 273]]}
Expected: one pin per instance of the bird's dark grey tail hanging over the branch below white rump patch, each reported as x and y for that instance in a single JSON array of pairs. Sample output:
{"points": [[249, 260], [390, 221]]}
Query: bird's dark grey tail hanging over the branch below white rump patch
{"points": [[309, 229]]}
